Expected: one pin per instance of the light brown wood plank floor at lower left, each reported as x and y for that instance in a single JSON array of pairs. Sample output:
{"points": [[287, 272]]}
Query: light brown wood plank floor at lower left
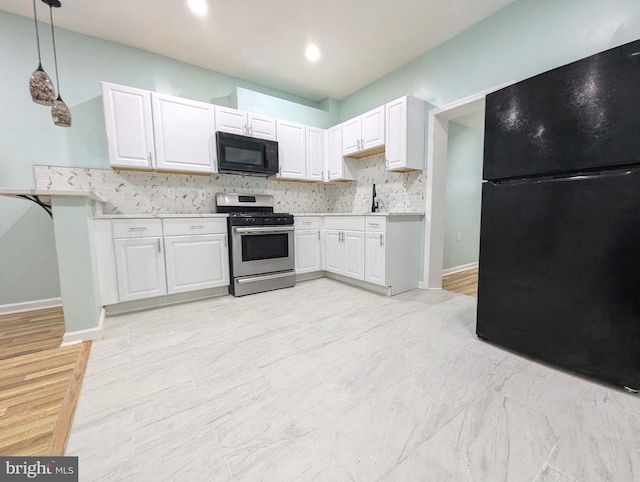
{"points": [[39, 384]]}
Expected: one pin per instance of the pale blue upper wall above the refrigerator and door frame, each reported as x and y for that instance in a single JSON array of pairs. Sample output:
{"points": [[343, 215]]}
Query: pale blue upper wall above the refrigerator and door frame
{"points": [[523, 39]]}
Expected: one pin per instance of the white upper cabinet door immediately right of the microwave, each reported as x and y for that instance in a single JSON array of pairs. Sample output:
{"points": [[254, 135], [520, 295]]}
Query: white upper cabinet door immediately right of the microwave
{"points": [[291, 150]]}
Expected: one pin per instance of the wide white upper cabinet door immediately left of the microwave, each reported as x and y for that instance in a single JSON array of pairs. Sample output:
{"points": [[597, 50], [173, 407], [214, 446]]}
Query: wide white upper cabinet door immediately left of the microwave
{"points": [[184, 133]]}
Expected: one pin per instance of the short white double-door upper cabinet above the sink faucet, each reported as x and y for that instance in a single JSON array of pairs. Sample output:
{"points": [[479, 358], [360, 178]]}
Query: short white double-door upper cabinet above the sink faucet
{"points": [[363, 133]]}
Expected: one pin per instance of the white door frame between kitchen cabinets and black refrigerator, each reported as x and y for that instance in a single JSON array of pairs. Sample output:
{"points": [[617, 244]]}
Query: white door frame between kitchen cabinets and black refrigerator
{"points": [[437, 142]]}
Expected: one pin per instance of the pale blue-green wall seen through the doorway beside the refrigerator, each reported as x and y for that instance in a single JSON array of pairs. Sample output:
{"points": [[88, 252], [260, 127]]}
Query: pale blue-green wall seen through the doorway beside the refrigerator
{"points": [[463, 195]]}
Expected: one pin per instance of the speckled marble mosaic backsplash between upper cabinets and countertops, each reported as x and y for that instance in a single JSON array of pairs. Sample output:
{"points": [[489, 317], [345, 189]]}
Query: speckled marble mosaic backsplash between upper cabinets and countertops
{"points": [[141, 192]]}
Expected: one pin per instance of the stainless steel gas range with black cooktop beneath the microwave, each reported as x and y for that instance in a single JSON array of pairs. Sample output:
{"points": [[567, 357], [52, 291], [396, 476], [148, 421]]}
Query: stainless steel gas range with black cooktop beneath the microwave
{"points": [[261, 243]]}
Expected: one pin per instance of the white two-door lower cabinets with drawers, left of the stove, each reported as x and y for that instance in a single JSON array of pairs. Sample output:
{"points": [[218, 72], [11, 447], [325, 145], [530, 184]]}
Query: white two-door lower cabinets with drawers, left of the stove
{"points": [[158, 257]]}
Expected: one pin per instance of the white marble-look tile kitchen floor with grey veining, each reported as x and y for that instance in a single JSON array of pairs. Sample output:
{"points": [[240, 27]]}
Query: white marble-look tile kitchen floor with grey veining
{"points": [[332, 383]]}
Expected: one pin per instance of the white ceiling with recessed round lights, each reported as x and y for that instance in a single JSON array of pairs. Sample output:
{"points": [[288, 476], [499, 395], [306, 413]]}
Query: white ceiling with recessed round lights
{"points": [[264, 40]]}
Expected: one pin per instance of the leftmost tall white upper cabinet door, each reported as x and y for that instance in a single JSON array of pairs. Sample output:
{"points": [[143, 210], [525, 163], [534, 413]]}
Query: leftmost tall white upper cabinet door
{"points": [[129, 126]]}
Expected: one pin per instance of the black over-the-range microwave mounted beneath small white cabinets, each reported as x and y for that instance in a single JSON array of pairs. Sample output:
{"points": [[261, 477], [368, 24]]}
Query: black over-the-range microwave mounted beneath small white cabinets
{"points": [[246, 155]]}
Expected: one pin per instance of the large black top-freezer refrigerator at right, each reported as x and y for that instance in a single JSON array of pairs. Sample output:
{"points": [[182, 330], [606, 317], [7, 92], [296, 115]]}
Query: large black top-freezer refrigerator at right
{"points": [[559, 266]]}
